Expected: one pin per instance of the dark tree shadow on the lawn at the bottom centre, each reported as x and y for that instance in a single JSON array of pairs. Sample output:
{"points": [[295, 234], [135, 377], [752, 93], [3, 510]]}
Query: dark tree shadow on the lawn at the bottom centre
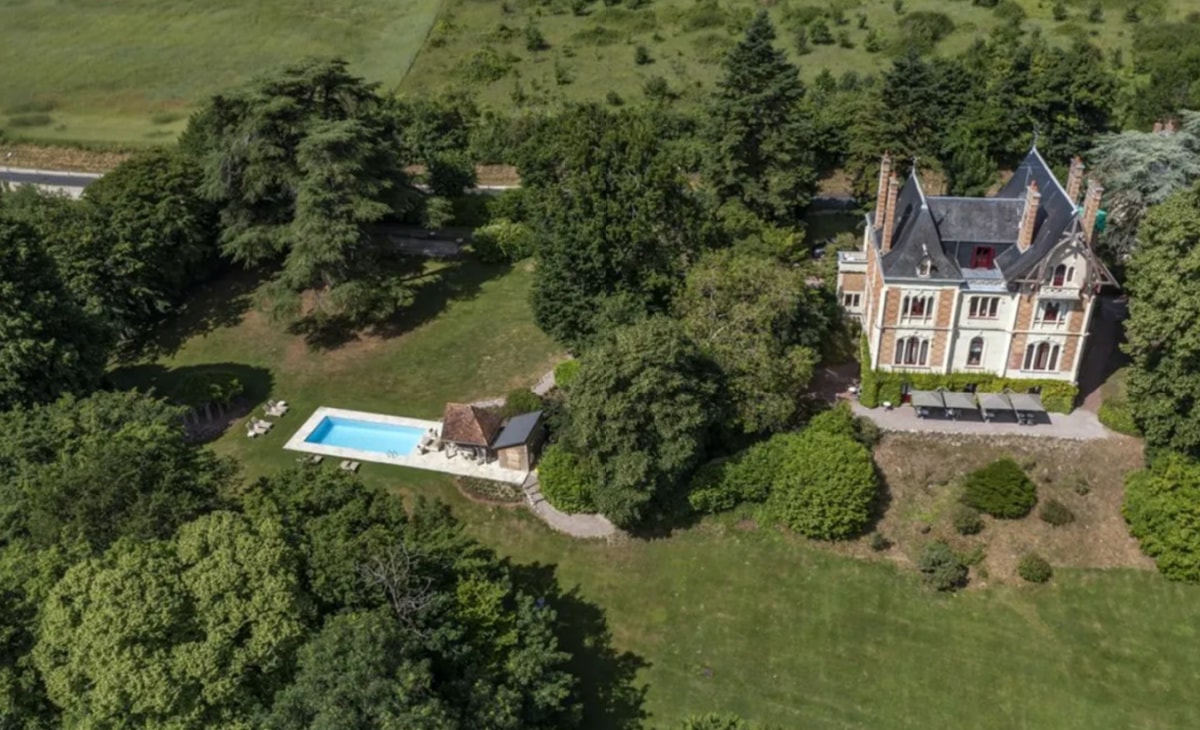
{"points": [[609, 692]]}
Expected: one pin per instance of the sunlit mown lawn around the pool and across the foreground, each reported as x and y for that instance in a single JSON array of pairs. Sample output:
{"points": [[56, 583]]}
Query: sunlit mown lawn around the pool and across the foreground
{"points": [[723, 617]]}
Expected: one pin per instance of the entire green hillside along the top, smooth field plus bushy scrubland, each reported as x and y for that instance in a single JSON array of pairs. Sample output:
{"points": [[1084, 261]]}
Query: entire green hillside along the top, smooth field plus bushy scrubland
{"points": [[129, 74]]}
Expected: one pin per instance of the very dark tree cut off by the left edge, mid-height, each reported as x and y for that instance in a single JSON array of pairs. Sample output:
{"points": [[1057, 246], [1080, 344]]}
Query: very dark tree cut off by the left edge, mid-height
{"points": [[50, 345]]}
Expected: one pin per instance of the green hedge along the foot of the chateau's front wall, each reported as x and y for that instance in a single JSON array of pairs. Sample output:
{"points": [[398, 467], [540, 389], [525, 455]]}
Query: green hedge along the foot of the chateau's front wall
{"points": [[878, 386]]}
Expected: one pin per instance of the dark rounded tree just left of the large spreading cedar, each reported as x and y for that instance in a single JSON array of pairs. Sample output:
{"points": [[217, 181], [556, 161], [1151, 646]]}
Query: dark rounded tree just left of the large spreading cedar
{"points": [[159, 237]]}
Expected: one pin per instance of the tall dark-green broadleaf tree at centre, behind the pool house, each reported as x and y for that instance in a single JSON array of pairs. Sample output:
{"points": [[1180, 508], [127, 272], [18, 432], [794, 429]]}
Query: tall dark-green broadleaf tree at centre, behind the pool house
{"points": [[611, 214]]}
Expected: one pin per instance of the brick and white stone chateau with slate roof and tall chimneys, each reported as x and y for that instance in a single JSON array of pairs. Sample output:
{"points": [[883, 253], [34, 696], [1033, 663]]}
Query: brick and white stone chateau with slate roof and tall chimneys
{"points": [[1004, 285]]}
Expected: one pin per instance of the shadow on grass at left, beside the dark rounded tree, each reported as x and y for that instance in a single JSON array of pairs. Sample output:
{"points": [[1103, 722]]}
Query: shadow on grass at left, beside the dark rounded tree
{"points": [[218, 304]]}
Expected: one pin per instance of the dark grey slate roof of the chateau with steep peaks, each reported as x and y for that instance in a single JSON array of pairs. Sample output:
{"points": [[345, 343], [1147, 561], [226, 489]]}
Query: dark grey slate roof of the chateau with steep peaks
{"points": [[925, 225]]}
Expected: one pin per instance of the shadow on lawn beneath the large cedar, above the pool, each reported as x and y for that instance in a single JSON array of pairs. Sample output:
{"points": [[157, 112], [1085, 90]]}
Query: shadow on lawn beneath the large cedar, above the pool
{"points": [[430, 292]]}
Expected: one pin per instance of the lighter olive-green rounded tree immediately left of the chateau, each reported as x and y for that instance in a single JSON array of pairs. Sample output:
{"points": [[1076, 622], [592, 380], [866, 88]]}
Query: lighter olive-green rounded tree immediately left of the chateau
{"points": [[763, 326]]}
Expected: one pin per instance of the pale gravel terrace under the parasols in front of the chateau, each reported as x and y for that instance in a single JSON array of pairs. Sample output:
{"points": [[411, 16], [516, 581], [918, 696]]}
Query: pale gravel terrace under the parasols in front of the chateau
{"points": [[1078, 426]]}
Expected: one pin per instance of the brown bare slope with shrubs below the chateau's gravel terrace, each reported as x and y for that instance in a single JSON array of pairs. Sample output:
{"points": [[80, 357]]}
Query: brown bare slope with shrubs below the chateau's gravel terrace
{"points": [[923, 476]]}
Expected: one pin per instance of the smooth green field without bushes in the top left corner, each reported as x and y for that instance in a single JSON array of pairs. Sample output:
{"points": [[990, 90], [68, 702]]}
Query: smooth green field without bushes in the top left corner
{"points": [[130, 71]]}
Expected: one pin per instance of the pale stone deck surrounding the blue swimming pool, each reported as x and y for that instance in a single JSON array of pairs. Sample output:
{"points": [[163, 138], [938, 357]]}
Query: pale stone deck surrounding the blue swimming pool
{"points": [[434, 462]]}
